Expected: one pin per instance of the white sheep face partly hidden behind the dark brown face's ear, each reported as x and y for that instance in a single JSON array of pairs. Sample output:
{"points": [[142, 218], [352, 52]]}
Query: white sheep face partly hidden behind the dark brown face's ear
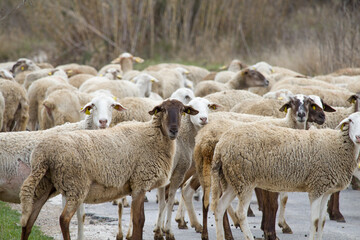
{"points": [[203, 106]]}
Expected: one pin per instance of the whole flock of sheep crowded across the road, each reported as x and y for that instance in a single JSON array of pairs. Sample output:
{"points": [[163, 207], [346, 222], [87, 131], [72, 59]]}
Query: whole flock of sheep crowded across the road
{"points": [[100, 135]]}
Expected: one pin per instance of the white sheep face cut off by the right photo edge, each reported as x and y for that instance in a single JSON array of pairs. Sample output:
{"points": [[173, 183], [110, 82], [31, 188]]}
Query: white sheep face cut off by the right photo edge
{"points": [[352, 124]]}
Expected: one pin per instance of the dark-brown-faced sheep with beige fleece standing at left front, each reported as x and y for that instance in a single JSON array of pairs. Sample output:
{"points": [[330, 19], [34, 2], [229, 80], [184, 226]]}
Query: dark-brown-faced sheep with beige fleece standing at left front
{"points": [[103, 173]]}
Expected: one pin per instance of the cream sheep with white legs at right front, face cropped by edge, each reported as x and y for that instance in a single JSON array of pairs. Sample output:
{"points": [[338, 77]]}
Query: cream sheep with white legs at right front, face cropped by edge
{"points": [[310, 165]]}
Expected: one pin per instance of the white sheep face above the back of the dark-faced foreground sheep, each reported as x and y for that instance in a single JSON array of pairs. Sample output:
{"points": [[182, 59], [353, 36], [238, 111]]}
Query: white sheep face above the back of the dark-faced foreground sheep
{"points": [[101, 109]]}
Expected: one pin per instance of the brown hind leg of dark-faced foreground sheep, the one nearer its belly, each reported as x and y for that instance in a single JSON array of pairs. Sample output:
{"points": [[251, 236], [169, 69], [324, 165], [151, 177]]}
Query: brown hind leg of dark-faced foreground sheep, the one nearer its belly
{"points": [[68, 212]]}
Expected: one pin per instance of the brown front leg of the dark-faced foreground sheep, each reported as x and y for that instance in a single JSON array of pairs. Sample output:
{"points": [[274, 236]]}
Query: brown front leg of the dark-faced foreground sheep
{"points": [[137, 205]]}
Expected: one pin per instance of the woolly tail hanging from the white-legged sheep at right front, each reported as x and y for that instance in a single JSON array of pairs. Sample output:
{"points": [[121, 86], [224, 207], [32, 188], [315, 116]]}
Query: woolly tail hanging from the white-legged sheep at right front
{"points": [[216, 181]]}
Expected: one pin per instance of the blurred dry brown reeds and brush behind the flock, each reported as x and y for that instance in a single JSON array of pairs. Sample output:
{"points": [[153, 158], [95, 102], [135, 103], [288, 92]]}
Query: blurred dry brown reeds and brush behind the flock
{"points": [[312, 37]]}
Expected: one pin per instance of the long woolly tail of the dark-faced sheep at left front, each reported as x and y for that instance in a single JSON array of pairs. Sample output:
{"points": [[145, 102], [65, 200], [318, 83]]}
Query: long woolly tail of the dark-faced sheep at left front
{"points": [[28, 188]]}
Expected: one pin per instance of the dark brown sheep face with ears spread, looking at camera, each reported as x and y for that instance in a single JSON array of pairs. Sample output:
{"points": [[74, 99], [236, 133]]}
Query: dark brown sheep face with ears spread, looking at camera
{"points": [[169, 113]]}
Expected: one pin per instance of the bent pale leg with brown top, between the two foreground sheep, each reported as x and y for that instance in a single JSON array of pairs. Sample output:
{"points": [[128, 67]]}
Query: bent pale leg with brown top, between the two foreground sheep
{"points": [[189, 191]]}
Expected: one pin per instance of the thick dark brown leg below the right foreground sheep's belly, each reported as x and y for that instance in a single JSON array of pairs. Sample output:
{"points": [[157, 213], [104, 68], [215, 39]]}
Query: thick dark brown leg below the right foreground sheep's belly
{"points": [[270, 206]]}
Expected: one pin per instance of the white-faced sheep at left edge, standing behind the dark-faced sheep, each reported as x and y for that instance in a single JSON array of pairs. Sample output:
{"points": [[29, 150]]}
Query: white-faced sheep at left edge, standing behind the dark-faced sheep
{"points": [[15, 159]]}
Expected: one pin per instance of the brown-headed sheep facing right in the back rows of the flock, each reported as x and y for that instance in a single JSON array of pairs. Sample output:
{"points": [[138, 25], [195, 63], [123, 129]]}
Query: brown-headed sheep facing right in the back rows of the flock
{"points": [[243, 79]]}
